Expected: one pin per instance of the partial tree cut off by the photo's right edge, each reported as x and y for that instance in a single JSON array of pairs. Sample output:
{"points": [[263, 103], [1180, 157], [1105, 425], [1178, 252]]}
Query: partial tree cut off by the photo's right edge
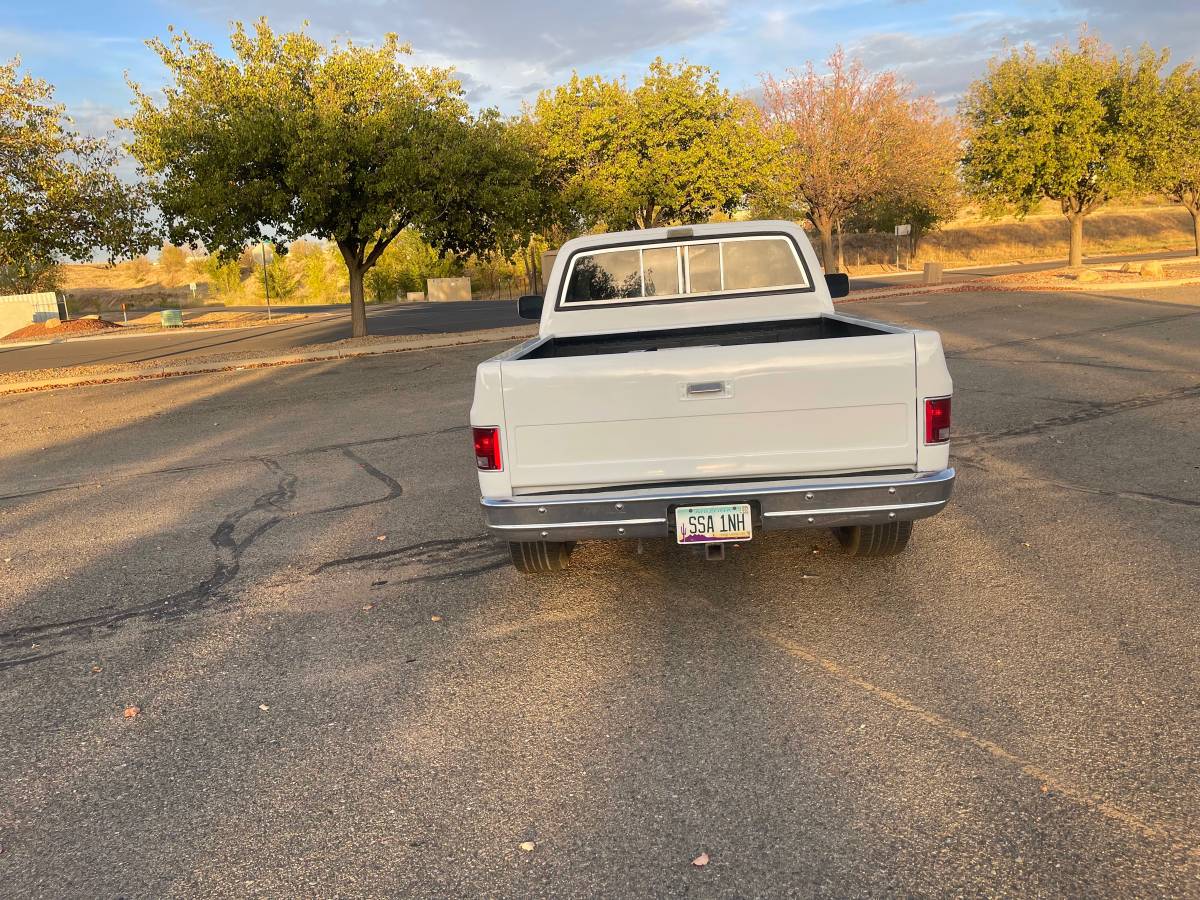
{"points": [[1178, 148]]}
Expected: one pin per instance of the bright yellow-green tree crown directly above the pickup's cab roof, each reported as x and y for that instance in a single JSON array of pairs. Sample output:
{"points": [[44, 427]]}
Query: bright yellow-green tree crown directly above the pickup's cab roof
{"points": [[677, 148]]}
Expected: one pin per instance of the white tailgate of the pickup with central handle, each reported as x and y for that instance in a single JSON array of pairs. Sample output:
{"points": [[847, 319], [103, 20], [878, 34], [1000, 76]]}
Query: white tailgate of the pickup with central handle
{"points": [[721, 412]]}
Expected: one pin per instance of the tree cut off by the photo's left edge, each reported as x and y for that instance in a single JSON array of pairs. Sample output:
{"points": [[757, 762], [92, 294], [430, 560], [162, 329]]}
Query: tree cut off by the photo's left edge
{"points": [[59, 193]]}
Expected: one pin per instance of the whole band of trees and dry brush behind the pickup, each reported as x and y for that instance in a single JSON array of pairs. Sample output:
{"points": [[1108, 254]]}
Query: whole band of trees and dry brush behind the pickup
{"points": [[322, 173]]}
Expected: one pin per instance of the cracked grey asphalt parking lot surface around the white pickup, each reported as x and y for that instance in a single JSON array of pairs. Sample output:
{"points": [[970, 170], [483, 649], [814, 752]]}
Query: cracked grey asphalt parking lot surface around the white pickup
{"points": [[344, 689]]}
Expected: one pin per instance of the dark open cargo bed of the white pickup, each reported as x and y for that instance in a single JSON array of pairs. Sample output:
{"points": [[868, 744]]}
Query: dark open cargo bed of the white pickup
{"points": [[809, 329]]}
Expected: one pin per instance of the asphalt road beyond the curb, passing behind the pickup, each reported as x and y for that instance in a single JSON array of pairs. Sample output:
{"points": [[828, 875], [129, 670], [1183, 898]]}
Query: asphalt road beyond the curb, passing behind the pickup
{"points": [[395, 320]]}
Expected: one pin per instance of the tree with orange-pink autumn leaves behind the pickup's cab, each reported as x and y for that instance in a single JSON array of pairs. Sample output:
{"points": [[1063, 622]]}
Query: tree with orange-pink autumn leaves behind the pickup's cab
{"points": [[856, 145]]}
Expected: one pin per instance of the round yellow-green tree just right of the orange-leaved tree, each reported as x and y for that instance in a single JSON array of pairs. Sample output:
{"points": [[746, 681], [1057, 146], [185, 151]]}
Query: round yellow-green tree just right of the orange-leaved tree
{"points": [[1069, 128]]}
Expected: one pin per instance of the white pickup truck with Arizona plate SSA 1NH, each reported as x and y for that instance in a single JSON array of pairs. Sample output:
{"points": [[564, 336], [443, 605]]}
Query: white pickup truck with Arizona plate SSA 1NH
{"points": [[695, 385]]}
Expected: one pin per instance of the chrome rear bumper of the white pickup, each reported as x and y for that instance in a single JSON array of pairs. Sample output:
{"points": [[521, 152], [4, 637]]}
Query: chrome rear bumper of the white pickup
{"points": [[778, 506]]}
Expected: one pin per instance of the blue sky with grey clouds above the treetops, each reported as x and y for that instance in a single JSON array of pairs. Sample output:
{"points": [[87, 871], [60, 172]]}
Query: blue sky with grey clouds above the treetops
{"points": [[507, 52]]}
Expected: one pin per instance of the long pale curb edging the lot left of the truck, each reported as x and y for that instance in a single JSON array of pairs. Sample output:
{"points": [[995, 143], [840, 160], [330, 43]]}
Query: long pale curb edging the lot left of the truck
{"points": [[286, 359]]}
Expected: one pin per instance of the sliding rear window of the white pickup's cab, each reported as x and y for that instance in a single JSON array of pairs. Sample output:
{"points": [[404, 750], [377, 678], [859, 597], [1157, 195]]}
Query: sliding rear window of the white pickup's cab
{"points": [[680, 271]]}
